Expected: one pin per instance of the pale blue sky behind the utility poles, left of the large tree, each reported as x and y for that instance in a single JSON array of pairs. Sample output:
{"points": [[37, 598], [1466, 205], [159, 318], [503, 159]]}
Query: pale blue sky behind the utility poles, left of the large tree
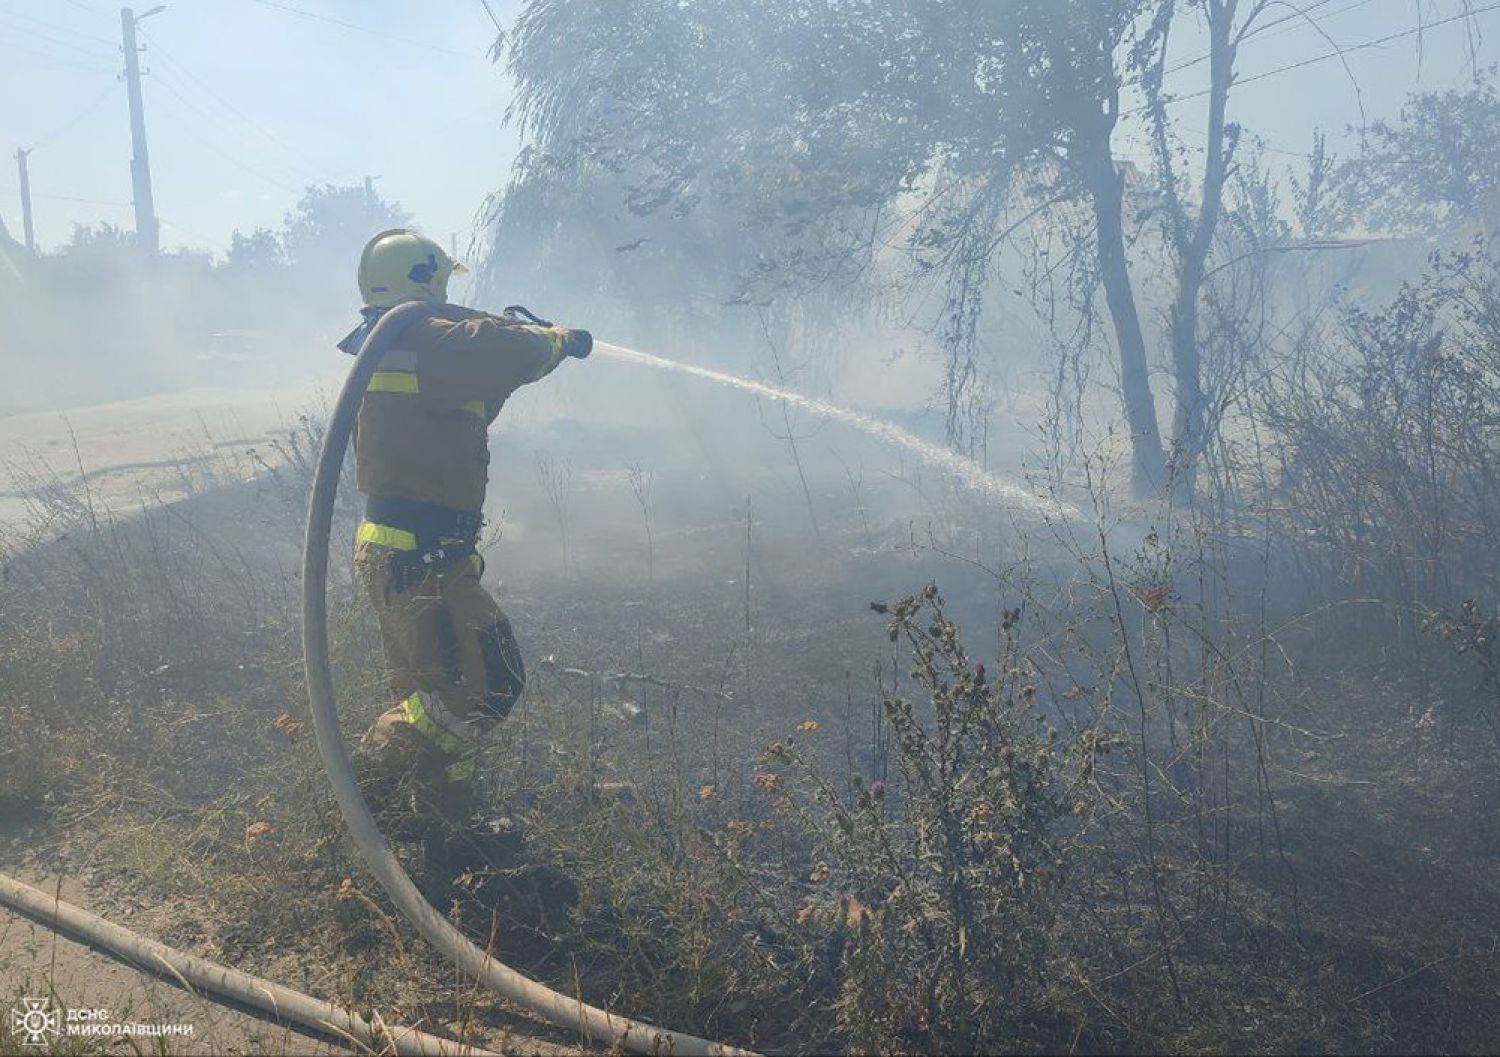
{"points": [[247, 103]]}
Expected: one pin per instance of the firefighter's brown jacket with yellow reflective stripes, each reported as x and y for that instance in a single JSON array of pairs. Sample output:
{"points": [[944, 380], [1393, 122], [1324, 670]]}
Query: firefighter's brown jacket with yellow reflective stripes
{"points": [[422, 431]]}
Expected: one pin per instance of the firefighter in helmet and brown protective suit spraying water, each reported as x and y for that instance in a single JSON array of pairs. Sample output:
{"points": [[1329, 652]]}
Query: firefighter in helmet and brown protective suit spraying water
{"points": [[421, 455]]}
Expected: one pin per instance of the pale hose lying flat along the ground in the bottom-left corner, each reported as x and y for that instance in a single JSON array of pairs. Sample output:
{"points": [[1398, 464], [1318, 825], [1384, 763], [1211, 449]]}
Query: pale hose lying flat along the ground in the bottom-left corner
{"points": [[188, 971]]}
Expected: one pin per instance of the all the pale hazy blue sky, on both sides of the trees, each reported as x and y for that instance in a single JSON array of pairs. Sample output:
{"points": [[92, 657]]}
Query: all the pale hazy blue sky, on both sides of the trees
{"points": [[250, 101]]}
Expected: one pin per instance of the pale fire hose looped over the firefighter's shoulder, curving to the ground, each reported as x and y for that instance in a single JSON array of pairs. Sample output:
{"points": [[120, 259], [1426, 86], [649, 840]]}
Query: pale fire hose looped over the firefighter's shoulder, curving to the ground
{"points": [[595, 1025]]}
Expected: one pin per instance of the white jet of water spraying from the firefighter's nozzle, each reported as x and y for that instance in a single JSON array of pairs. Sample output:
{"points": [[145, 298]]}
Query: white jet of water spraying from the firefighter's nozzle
{"points": [[964, 470]]}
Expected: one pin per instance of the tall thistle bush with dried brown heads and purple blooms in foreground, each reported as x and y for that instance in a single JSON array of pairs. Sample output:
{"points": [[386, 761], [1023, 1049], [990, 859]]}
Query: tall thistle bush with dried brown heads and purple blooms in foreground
{"points": [[952, 876]]}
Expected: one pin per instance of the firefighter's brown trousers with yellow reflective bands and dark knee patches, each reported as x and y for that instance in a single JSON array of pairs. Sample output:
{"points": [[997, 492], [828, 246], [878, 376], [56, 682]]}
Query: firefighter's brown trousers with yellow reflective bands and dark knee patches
{"points": [[454, 668]]}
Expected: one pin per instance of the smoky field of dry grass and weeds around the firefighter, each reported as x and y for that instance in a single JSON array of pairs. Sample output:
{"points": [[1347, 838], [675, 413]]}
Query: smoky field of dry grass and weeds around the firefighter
{"points": [[1165, 818]]}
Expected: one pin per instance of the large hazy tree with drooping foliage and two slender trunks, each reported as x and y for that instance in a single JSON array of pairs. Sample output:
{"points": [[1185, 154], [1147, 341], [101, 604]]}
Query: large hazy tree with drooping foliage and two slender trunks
{"points": [[823, 125]]}
